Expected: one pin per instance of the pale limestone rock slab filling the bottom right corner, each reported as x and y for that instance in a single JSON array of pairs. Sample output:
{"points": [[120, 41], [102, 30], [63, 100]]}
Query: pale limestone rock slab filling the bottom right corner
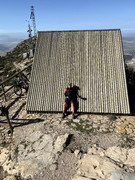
{"points": [[102, 164]]}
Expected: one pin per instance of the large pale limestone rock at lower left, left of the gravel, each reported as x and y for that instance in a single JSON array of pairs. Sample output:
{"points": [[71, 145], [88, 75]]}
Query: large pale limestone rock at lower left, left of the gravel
{"points": [[35, 152]]}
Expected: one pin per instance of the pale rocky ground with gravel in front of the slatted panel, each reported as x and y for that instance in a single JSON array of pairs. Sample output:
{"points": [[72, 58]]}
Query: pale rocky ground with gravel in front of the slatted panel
{"points": [[46, 147]]}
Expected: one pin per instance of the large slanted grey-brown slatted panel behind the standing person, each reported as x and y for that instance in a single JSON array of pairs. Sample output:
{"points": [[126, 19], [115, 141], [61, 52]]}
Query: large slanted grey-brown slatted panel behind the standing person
{"points": [[90, 59]]}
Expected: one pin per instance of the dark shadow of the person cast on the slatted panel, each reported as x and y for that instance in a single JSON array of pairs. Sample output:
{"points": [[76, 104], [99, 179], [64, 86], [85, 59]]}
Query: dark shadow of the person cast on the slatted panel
{"points": [[76, 102]]}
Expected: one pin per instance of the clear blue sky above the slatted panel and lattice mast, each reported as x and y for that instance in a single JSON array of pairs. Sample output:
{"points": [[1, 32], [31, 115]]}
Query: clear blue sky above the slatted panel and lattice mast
{"points": [[67, 14]]}
